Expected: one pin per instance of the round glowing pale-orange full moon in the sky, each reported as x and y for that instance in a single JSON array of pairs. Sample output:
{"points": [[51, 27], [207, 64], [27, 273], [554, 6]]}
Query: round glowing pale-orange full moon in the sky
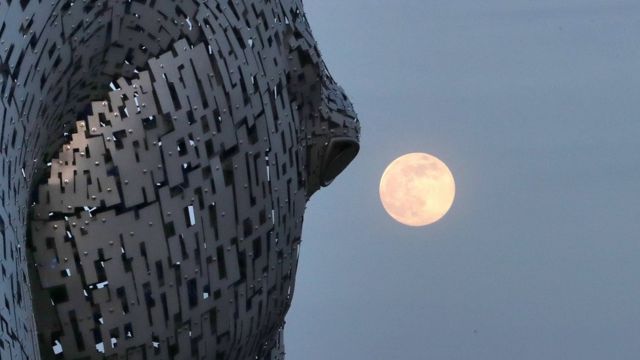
{"points": [[417, 189]]}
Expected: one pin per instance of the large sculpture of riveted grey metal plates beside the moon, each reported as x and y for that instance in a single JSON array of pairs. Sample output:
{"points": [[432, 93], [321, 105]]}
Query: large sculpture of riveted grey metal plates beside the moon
{"points": [[157, 157]]}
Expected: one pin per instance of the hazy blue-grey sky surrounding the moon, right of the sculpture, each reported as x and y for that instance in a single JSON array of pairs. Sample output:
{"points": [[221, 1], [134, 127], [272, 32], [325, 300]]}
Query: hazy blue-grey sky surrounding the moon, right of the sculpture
{"points": [[534, 105]]}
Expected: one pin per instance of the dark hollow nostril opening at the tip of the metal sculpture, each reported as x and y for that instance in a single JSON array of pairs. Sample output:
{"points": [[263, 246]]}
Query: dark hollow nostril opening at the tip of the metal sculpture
{"points": [[340, 153]]}
